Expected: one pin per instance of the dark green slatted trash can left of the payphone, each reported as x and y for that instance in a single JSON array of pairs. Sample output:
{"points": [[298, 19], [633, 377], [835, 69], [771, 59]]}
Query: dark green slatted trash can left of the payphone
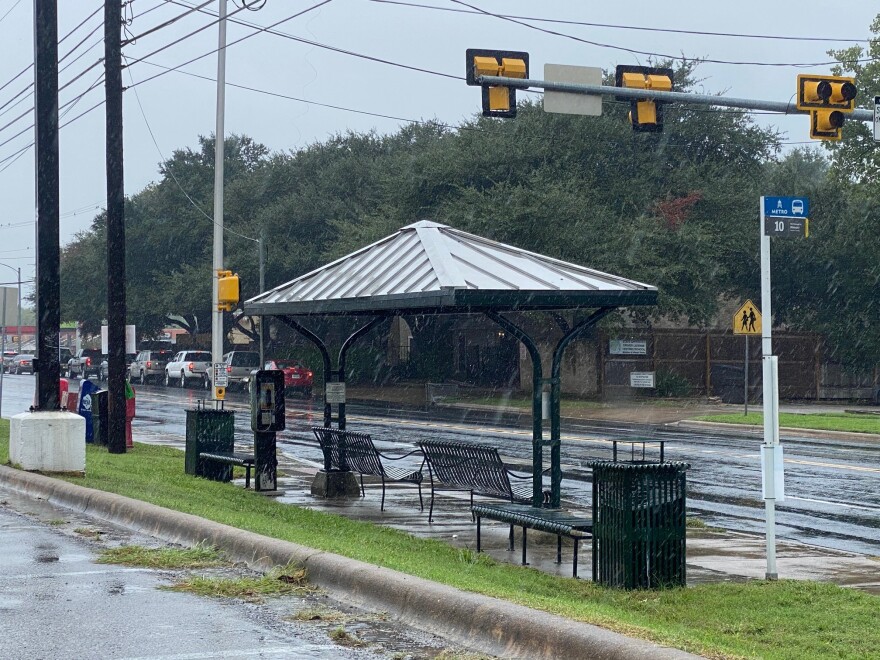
{"points": [[209, 431]]}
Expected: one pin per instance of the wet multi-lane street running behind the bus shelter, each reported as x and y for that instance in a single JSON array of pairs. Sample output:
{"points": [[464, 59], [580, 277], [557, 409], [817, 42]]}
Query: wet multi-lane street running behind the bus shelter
{"points": [[832, 498]]}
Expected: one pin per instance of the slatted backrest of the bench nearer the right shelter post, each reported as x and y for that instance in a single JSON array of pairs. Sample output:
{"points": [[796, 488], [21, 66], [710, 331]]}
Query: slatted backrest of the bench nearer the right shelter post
{"points": [[469, 466]]}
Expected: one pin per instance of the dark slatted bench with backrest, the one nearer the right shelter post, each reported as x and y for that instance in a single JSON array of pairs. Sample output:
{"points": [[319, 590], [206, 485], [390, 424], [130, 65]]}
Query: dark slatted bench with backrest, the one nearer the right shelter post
{"points": [[475, 468]]}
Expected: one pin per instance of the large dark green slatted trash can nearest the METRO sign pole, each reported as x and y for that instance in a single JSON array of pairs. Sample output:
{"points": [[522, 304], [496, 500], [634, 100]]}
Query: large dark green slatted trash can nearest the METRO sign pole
{"points": [[639, 524]]}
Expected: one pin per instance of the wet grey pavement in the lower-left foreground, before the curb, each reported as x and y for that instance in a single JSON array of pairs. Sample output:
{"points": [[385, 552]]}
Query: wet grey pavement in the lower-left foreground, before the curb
{"points": [[57, 602]]}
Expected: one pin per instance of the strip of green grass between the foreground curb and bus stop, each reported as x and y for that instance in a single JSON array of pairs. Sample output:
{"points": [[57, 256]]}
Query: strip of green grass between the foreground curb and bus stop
{"points": [[784, 619]]}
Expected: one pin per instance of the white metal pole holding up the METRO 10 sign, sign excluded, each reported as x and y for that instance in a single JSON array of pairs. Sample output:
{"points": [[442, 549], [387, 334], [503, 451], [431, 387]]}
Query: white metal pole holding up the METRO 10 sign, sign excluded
{"points": [[771, 434]]}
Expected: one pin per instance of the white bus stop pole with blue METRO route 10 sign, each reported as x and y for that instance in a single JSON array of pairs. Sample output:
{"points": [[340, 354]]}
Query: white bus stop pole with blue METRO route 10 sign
{"points": [[785, 217]]}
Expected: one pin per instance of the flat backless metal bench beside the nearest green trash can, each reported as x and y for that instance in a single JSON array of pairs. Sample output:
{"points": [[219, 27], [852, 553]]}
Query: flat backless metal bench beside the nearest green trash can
{"points": [[553, 521]]}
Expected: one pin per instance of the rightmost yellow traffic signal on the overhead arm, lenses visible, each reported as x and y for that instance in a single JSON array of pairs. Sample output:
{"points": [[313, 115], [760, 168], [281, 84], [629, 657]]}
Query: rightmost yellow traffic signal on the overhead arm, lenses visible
{"points": [[828, 99]]}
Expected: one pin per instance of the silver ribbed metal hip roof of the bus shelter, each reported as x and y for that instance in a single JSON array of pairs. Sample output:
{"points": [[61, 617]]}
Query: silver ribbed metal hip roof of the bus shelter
{"points": [[430, 267]]}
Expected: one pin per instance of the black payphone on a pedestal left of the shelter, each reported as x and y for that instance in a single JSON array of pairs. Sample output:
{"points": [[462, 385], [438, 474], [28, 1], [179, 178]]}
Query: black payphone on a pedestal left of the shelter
{"points": [[267, 418]]}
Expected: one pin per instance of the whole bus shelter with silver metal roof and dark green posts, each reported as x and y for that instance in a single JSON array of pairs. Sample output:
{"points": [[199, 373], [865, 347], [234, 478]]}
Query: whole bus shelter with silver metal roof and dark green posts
{"points": [[431, 268]]}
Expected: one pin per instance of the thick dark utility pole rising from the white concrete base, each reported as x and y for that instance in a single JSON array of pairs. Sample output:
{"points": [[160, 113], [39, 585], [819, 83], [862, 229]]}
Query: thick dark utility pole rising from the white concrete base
{"points": [[48, 294]]}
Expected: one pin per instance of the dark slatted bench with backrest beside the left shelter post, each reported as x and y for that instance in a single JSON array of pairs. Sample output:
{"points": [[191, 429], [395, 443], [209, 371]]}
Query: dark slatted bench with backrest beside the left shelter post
{"points": [[350, 451]]}
